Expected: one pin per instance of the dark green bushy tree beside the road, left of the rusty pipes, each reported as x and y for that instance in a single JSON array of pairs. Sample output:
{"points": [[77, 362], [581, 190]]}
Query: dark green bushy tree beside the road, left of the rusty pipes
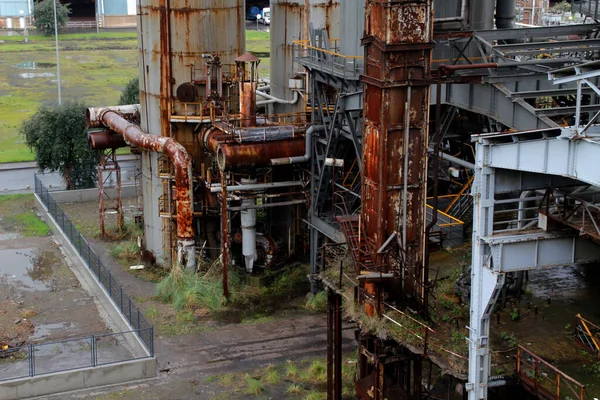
{"points": [[59, 138]]}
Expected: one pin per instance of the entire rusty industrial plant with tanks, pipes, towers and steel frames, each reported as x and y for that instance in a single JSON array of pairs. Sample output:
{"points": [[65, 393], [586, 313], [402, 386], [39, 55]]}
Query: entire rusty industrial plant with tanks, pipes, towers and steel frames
{"points": [[388, 134]]}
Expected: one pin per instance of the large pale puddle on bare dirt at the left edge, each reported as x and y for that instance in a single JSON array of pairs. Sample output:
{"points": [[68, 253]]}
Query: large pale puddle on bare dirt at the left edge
{"points": [[29, 269]]}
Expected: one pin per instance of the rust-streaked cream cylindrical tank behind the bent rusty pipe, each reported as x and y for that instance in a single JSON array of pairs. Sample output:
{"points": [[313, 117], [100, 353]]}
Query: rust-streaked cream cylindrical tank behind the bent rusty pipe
{"points": [[175, 38]]}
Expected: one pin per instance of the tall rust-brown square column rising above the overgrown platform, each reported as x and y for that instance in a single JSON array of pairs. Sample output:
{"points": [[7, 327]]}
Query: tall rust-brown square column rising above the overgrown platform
{"points": [[398, 43]]}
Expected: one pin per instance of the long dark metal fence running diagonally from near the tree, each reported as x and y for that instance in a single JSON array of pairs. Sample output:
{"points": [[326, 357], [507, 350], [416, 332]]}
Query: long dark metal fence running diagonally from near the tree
{"points": [[126, 306]]}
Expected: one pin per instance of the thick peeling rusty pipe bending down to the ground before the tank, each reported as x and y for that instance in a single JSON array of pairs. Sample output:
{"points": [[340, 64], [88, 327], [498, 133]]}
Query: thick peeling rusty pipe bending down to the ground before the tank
{"points": [[183, 171]]}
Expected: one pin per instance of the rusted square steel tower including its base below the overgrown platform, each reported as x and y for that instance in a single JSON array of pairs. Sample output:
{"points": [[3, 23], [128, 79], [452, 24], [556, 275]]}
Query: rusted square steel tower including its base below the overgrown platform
{"points": [[398, 44]]}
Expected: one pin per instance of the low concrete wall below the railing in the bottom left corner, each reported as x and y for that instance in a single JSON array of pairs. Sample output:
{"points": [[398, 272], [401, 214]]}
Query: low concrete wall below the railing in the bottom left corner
{"points": [[78, 379]]}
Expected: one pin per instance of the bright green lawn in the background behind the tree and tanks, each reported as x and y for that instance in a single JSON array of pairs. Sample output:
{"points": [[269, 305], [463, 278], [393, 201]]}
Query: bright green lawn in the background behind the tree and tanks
{"points": [[94, 68]]}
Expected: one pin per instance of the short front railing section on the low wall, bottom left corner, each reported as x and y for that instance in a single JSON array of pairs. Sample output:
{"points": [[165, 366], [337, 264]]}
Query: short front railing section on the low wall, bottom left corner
{"points": [[71, 354]]}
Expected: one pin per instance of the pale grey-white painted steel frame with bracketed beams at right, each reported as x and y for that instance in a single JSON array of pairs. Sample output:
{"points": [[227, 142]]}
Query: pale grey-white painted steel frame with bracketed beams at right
{"points": [[506, 158]]}
